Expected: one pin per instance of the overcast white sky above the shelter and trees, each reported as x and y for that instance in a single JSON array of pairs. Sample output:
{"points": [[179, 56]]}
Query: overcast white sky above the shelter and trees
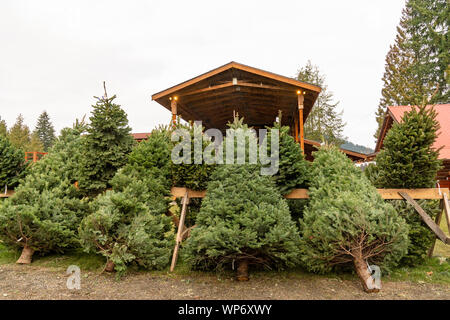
{"points": [[54, 55]]}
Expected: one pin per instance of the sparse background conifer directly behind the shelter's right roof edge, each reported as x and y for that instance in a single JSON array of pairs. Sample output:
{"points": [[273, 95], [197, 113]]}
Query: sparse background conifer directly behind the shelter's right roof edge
{"points": [[323, 122]]}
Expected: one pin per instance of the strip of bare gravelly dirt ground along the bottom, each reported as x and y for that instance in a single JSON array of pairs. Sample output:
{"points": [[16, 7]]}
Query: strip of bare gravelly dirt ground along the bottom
{"points": [[25, 282]]}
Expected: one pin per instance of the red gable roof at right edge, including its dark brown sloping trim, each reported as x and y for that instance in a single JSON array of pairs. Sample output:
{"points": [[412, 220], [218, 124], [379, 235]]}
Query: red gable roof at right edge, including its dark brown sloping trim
{"points": [[394, 114]]}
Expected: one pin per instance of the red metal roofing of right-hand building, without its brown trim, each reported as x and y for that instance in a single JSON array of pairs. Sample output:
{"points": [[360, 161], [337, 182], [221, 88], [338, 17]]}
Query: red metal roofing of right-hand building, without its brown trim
{"points": [[443, 116]]}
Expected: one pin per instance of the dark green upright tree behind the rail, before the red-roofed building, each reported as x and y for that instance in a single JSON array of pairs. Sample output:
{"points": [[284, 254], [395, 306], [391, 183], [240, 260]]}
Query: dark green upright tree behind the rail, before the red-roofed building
{"points": [[409, 161]]}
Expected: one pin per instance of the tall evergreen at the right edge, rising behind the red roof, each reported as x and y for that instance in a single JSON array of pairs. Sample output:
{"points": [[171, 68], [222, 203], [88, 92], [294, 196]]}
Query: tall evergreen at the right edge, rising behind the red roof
{"points": [[417, 62]]}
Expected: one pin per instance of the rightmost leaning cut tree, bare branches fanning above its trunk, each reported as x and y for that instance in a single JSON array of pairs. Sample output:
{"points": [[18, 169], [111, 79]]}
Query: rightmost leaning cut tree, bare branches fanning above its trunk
{"points": [[346, 221]]}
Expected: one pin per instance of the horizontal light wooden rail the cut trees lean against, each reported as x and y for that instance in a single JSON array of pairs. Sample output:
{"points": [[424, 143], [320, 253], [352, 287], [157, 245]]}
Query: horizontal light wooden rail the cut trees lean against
{"points": [[388, 194]]}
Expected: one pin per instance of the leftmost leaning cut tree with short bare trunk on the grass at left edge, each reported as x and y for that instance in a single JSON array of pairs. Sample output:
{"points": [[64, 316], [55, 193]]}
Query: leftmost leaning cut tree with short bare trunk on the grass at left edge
{"points": [[43, 214]]}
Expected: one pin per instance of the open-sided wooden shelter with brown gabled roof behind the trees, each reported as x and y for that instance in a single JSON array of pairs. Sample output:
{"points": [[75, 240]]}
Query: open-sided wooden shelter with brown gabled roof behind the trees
{"points": [[255, 94]]}
